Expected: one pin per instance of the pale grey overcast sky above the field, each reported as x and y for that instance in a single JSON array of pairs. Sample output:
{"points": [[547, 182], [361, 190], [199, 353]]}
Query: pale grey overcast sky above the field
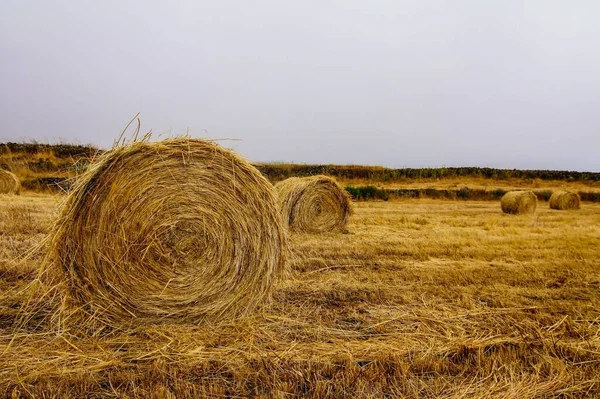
{"points": [[398, 83]]}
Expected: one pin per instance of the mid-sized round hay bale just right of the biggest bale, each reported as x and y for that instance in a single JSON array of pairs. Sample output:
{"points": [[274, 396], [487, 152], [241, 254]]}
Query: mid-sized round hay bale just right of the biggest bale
{"points": [[315, 204]]}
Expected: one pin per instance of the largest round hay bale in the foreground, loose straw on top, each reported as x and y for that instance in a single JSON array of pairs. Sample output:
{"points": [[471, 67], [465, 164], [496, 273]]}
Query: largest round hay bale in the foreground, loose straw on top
{"points": [[180, 229]]}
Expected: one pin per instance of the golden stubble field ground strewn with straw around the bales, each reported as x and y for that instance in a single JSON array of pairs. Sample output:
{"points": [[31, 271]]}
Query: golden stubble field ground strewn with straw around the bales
{"points": [[422, 298]]}
